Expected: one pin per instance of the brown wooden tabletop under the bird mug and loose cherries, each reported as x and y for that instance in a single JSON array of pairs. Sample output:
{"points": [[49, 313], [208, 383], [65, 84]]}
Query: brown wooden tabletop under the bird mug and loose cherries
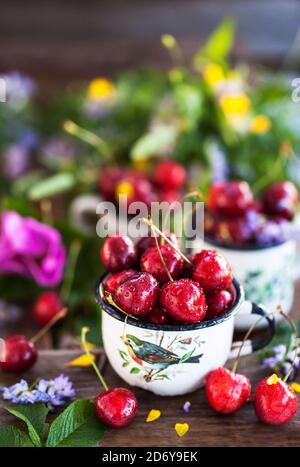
{"points": [[206, 427]]}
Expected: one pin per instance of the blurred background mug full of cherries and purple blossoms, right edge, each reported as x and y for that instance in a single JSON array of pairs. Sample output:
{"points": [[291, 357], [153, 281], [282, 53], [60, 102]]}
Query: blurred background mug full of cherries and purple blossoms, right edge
{"points": [[258, 237]]}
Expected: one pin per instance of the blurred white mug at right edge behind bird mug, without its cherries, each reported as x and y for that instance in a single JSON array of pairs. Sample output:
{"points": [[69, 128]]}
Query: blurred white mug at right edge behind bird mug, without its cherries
{"points": [[267, 274]]}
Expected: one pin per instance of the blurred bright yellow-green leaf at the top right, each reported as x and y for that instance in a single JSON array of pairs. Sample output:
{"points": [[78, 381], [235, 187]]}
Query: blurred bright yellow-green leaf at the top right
{"points": [[219, 43]]}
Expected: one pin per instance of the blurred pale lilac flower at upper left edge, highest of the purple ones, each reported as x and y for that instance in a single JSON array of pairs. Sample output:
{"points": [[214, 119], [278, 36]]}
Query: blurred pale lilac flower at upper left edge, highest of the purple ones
{"points": [[19, 89]]}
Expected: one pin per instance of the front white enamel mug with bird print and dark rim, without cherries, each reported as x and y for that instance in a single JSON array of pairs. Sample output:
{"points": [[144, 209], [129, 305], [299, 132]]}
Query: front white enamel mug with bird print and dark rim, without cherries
{"points": [[174, 360]]}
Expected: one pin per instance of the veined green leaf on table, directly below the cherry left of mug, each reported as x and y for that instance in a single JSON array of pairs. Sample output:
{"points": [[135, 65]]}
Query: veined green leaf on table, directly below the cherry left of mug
{"points": [[77, 426]]}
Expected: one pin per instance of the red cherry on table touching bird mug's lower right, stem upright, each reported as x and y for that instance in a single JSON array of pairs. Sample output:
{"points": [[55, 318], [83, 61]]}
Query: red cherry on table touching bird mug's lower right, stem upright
{"points": [[226, 391]]}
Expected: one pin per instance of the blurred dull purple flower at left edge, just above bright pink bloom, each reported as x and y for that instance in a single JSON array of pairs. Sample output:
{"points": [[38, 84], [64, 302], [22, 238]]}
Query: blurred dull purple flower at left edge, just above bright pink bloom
{"points": [[16, 161]]}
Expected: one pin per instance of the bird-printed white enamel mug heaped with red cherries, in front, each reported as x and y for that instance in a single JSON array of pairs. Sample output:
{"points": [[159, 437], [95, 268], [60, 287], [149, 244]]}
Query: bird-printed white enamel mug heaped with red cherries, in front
{"points": [[168, 319]]}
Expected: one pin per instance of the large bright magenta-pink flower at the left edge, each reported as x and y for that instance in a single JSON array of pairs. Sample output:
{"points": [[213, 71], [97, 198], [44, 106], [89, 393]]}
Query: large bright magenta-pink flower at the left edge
{"points": [[31, 249]]}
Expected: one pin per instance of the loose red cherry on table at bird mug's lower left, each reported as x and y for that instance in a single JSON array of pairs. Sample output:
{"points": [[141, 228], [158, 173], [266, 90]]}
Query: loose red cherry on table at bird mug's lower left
{"points": [[116, 407]]}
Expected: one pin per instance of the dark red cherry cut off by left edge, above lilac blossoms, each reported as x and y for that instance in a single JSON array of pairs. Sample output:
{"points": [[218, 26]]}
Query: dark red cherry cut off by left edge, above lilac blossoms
{"points": [[19, 353]]}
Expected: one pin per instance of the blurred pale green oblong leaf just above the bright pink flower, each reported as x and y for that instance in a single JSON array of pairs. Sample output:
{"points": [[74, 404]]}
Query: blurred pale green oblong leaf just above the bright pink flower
{"points": [[52, 186]]}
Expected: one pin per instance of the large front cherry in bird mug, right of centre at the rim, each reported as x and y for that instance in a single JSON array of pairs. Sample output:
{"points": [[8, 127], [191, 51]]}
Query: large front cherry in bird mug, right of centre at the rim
{"points": [[184, 301]]}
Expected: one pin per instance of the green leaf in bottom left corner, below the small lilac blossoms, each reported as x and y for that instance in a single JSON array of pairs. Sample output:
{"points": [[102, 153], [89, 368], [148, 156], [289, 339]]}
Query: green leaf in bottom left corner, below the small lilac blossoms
{"points": [[35, 418]]}
